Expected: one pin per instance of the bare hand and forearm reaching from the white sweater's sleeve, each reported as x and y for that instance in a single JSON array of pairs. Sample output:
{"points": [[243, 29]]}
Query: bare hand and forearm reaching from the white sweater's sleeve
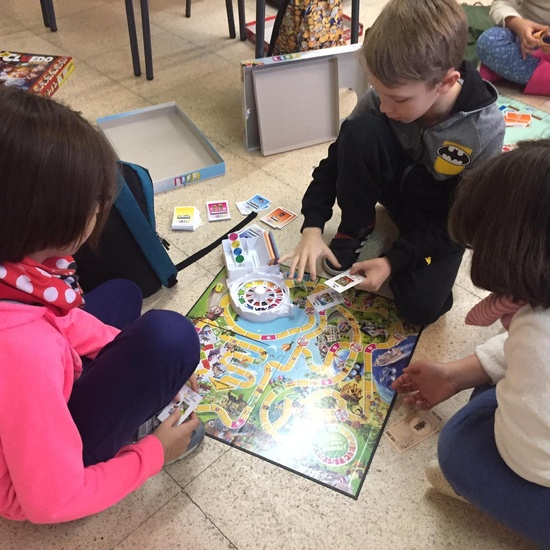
{"points": [[431, 383]]}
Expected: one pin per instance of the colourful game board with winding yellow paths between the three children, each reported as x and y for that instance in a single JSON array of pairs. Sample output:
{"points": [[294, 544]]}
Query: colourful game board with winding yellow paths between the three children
{"points": [[310, 392]]}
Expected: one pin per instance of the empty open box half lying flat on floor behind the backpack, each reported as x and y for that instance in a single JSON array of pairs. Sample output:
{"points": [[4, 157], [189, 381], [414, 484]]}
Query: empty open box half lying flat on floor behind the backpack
{"points": [[164, 140]]}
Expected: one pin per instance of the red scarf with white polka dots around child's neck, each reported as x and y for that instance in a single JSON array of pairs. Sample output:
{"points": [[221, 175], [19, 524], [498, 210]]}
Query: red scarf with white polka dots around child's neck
{"points": [[53, 283]]}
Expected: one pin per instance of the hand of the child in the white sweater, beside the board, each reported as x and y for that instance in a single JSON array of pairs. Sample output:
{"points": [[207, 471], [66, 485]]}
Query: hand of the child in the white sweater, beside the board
{"points": [[431, 380]]}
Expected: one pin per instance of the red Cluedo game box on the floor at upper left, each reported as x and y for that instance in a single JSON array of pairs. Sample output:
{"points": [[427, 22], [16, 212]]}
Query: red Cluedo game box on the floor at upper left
{"points": [[41, 74]]}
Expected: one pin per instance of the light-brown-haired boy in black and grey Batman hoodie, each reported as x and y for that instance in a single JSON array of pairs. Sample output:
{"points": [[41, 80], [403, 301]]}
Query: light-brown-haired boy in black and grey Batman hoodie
{"points": [[427, 117]]}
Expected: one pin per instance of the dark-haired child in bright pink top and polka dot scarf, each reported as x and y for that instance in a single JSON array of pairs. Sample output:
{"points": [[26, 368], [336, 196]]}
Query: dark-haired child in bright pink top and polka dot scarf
{"points": [[79, 379]]}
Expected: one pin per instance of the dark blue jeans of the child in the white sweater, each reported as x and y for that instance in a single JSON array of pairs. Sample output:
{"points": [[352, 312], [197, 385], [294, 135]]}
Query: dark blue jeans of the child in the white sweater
{"points": [[470, 461]]}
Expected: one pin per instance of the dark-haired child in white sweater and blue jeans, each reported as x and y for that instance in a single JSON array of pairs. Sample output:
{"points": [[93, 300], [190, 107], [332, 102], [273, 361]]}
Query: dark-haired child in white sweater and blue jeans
{"points": [[495, 452]]}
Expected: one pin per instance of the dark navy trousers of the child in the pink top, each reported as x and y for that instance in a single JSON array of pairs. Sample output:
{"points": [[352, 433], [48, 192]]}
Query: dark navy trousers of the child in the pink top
{"points": [[134, 376]]}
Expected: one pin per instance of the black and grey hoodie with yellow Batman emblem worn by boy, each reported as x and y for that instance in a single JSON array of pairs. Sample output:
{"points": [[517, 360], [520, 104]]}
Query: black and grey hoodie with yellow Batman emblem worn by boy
{"points": [[473, 132]]}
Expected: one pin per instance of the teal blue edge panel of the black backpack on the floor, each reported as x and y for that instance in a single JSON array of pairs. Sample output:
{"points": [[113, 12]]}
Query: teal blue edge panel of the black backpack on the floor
{"points": [[143, 231]]}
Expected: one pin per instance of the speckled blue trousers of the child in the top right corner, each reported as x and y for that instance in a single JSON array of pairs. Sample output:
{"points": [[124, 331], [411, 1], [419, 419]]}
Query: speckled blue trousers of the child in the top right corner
{"points": [[499, 49]]}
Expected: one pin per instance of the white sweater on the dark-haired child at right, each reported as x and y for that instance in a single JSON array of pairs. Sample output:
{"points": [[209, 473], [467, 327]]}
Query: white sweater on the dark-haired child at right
{"points": [[519, 363]]}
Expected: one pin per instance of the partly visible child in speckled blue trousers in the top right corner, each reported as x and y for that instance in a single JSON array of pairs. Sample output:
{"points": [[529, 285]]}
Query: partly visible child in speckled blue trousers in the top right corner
{"points": [[515, 50]]}
